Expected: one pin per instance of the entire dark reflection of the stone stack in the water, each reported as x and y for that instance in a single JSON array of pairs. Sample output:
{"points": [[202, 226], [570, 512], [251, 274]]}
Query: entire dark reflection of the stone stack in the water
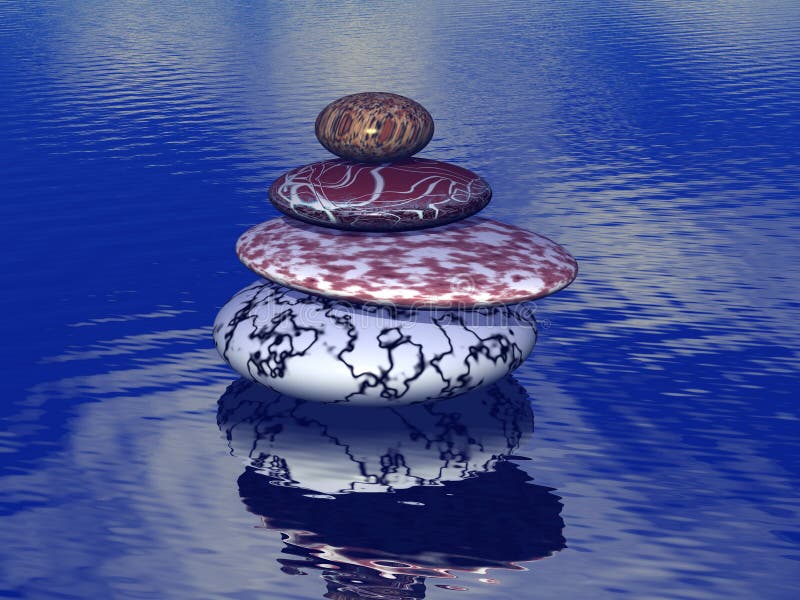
{"points": [[445, 494]]}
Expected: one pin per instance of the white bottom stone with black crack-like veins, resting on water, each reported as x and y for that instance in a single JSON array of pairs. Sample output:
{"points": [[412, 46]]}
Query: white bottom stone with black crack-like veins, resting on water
{"points": [[326, 350]]}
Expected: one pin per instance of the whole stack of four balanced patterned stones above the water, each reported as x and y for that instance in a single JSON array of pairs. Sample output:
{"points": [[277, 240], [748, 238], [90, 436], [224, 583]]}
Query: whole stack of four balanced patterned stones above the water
{"points": [[380, 286]]}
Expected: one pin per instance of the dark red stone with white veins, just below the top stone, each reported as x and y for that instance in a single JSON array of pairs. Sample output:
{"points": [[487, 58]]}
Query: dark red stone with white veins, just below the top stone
{"points": [[408, 194]]}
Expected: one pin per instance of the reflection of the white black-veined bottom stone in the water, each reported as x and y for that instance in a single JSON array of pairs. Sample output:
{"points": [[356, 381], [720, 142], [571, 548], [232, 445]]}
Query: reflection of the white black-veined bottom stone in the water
{"points": [[319, 447]]}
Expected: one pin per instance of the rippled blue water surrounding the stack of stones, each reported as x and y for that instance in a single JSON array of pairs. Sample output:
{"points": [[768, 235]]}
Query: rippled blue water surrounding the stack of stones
{"points": [[657, 141]]}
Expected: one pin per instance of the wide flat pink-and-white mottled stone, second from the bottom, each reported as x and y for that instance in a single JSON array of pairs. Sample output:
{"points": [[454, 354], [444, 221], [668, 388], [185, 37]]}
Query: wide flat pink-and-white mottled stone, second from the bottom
{"points": [[473, 262]]}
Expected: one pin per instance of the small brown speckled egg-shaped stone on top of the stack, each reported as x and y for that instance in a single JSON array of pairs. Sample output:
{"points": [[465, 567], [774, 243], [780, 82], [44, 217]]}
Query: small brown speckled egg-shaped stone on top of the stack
{"points": [[374, 127]]}
